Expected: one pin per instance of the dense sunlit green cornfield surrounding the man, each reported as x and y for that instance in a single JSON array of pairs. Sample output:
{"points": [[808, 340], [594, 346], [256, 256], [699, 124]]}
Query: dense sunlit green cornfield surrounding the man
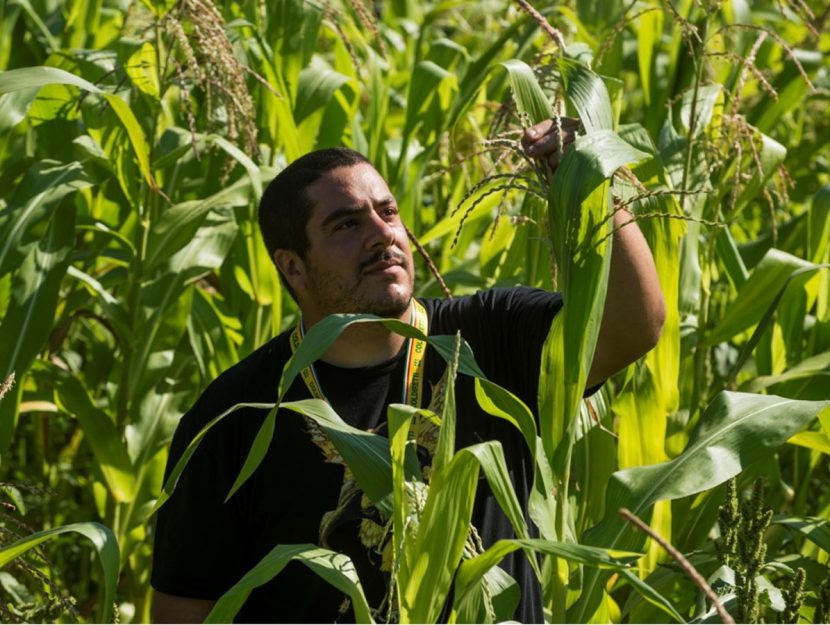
{"points": [[135, 139]]}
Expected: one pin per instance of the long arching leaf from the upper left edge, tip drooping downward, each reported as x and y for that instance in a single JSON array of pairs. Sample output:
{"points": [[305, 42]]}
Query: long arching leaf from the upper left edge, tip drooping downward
{"points": [[29, 77]]}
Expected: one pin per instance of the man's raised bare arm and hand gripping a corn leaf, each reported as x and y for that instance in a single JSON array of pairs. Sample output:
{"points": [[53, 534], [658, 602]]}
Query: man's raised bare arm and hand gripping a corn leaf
{"points": [[634, 308]]}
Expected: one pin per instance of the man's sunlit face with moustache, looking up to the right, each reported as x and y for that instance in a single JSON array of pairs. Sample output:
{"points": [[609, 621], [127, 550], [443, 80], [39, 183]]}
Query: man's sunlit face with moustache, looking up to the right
{"points": [[359, 260]]}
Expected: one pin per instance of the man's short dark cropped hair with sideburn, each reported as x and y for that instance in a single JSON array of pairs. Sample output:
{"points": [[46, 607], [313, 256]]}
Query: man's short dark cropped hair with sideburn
{"points": [[284, 209]]}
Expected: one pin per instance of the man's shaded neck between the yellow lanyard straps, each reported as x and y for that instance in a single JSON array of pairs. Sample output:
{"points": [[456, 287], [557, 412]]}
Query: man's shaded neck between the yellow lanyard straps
{"points": [[365, 344]]}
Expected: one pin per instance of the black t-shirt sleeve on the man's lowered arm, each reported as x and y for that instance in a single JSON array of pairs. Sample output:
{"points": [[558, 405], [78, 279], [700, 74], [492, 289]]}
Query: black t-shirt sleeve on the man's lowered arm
{"points": [[198, 543]]}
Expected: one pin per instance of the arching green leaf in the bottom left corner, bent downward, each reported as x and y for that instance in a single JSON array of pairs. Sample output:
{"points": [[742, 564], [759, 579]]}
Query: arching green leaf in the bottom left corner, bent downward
{"points": [[105, 545]]}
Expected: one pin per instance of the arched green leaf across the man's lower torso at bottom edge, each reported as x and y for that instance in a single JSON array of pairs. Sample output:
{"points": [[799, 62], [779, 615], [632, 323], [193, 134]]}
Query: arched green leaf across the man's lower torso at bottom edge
{"points": [[335, 568]]}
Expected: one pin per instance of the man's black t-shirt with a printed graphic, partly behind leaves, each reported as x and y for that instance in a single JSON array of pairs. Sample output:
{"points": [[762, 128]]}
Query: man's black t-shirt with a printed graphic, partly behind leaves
{"points": [[203, 546]]}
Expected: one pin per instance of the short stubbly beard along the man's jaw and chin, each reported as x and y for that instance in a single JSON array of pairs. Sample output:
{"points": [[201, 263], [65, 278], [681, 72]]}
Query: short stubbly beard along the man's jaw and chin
{"points": [[364, 293]]}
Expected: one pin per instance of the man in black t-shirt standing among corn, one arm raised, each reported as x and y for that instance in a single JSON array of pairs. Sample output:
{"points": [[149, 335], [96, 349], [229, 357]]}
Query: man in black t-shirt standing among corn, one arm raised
{"points": [[333, 230]]}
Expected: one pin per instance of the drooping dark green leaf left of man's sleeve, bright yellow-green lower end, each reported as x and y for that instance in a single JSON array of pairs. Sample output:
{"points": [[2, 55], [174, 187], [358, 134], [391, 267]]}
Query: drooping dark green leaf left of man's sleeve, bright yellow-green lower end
{"points": [[99, 431]]}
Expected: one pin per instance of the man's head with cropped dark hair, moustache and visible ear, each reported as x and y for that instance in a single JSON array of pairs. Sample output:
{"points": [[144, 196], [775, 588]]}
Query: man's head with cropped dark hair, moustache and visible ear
{"points": [[332, 228]]}
